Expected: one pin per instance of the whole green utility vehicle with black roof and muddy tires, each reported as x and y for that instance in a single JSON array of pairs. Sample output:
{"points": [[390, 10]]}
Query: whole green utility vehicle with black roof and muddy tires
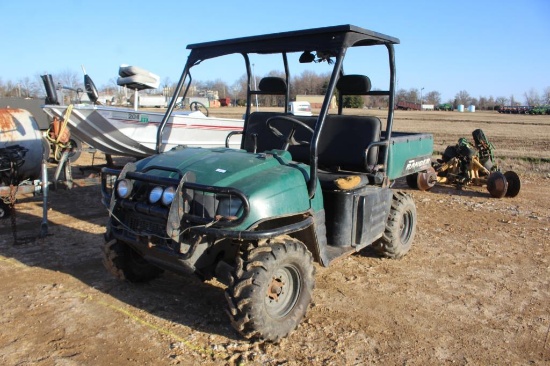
{"points": [[300, 189]]}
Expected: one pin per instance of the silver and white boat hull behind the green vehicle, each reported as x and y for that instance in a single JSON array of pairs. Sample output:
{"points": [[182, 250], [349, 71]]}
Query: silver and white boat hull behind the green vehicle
{"points": [[125, 131]]}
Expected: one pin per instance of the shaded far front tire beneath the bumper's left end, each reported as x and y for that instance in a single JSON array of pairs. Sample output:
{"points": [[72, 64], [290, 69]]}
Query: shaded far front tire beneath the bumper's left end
{"points": [[126, 264]]}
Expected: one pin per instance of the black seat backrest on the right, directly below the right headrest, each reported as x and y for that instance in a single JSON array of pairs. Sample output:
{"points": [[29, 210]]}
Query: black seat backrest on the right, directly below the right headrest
{"points": [[344, 140]]}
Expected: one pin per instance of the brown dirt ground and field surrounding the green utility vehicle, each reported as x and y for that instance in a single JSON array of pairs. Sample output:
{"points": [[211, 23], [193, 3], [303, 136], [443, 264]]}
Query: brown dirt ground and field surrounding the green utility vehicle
{"points": [[474, 289]]}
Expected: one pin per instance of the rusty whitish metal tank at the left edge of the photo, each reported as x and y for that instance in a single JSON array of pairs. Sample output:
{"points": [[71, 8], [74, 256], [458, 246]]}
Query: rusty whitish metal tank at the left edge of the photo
{"points": [[18, 127]]}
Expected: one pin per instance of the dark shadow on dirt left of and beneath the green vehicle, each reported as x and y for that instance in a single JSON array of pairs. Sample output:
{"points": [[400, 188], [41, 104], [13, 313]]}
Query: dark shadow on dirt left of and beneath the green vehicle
{"points": [[73, 246]]}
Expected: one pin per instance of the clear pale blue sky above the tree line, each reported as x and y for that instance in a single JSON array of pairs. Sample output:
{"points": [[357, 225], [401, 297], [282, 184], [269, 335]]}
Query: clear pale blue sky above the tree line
{"points": [[488, 48]]}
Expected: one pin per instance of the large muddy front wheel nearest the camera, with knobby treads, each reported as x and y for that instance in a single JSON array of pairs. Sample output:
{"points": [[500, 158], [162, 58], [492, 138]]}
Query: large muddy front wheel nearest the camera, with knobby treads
{"points": [[270, 289]]}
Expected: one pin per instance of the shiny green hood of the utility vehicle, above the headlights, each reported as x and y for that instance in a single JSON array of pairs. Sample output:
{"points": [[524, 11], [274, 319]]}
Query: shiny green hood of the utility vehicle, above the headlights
{"points": [[274, 185]]}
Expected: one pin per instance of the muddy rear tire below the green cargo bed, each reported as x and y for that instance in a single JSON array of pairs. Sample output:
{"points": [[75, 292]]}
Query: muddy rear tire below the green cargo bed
{"points": [[400, 228]]}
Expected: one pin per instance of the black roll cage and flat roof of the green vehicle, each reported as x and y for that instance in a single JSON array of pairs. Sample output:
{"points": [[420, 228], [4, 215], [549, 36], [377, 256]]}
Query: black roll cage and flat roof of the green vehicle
{"points": [[335, 40]]}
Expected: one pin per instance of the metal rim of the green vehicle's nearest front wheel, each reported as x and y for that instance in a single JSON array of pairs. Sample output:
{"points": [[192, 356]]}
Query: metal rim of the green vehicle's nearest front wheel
{"points": [[283, 291]]}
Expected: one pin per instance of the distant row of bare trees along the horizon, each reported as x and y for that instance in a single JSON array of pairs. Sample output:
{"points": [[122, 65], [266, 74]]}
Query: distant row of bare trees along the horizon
{"points": [[307, 83]]}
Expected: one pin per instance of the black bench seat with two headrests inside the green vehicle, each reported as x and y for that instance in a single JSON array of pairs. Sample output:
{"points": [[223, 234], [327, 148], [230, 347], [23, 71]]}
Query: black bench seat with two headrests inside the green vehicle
{"points": [[344, 143]]}
